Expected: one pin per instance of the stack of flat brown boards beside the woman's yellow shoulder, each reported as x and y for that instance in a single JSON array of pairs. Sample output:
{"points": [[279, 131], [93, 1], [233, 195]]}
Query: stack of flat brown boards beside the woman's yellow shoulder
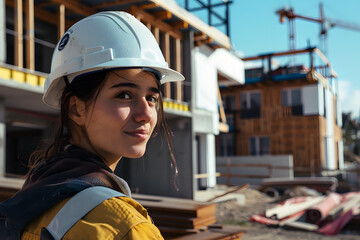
{"points": [[185, 219]]}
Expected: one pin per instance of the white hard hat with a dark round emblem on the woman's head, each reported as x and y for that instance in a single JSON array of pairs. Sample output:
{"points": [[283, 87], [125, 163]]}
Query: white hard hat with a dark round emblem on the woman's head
{"points": [[105, 40]]}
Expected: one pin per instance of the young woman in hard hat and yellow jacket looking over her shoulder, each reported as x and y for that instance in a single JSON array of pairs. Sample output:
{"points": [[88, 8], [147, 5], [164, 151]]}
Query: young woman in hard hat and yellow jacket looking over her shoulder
{"points": [[105, 78]]}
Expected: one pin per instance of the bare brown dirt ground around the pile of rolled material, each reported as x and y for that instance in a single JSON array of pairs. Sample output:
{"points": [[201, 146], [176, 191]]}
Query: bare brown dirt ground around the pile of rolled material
{"points": [[232, 213]]}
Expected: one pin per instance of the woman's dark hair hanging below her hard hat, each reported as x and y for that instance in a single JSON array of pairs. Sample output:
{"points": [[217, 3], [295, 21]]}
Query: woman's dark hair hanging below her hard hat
{"points": [[87, 88]]}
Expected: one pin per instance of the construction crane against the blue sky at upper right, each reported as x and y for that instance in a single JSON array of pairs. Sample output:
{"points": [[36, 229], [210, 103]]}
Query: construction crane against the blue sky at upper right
{"points": [[325, 25]]}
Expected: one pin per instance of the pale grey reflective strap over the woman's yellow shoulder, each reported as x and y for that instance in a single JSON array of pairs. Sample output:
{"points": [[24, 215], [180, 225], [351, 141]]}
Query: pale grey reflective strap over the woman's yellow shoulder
{"points": [[77, 207]]}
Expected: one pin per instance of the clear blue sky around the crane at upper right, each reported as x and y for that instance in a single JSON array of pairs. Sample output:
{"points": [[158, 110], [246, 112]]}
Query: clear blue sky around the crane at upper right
{"points": [[256, 29]]}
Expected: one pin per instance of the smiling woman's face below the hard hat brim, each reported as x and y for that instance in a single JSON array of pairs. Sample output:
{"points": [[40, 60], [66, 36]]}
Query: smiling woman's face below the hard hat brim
{"points": [[121, 120]]}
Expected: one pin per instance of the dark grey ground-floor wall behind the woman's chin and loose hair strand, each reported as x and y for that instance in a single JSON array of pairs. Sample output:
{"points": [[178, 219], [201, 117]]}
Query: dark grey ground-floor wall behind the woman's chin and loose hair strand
{"points": [[152, 174]]}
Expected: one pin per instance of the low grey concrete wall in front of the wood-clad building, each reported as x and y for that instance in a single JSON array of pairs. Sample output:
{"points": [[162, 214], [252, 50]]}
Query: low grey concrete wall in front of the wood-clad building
{"points": [[274, 160]]}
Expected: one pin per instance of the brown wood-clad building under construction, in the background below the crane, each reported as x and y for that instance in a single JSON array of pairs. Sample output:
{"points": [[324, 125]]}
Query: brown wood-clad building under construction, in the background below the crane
{"points": [[286, 110]]}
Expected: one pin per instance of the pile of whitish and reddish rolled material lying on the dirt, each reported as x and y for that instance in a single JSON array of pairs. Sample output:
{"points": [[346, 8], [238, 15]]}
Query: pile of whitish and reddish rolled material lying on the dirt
{"points": [[322, 214]]}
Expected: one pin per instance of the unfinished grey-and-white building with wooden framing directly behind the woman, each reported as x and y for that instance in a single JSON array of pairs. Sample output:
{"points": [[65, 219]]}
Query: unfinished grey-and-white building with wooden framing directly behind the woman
{"points": [[29, 31]]}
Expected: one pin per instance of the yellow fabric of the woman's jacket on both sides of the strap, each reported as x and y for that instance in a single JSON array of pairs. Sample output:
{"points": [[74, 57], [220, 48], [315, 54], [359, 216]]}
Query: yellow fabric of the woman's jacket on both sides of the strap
{"points": [[115, 218]]}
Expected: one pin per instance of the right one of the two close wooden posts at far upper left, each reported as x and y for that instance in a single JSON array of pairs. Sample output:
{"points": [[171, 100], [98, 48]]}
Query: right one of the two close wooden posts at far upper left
{"points": [[30, 35]]}
